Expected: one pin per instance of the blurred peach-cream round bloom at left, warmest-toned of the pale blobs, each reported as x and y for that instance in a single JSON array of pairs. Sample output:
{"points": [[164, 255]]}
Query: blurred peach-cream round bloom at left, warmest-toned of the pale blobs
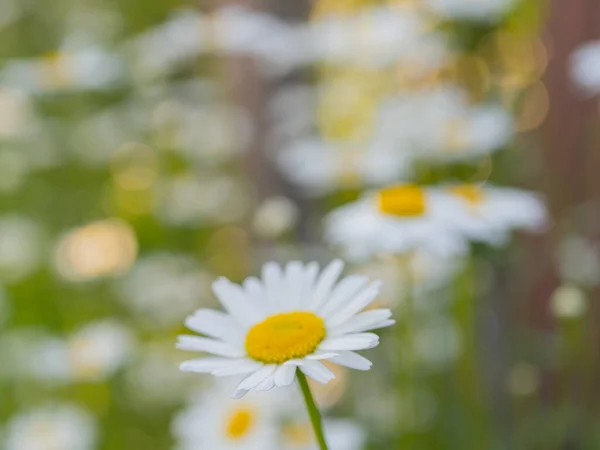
{"points": [[100, 249]]}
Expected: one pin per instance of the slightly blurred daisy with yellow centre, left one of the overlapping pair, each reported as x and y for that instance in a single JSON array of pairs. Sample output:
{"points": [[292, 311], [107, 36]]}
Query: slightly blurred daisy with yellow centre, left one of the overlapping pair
{"points": [[394, 220]]}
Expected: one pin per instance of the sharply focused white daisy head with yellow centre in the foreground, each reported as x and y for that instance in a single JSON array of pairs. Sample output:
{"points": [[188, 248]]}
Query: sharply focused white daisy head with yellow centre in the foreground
{"points": [[291, 319]]}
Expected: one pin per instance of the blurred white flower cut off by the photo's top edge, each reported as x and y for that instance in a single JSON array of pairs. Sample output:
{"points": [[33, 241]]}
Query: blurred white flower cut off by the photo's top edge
{"points": [[480, 10]]}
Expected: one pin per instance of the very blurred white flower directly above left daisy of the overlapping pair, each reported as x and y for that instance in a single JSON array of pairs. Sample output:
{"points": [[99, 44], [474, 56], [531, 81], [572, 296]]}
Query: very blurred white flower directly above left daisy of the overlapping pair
{"points": [[321, 167]]}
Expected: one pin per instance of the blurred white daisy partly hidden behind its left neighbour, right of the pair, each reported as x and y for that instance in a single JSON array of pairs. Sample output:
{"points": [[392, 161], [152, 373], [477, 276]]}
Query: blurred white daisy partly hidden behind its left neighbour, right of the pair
{"points": [[488, 214]]}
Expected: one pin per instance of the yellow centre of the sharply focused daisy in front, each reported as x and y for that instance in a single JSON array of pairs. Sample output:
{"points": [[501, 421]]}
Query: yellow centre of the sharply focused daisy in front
{"points": [[285, 336]]}
